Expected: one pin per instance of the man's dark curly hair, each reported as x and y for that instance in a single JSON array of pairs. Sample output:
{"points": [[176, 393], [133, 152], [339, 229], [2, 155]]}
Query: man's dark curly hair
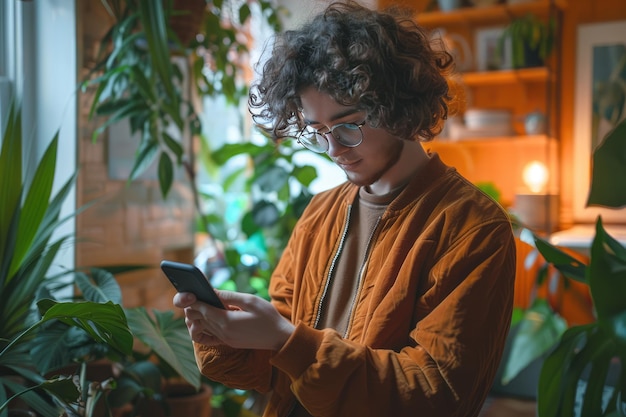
{"points": [[381, 62]]}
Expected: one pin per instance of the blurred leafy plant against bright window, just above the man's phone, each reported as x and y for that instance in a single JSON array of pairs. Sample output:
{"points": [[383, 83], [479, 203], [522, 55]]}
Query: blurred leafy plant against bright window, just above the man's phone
{"points": [[249, 210]]}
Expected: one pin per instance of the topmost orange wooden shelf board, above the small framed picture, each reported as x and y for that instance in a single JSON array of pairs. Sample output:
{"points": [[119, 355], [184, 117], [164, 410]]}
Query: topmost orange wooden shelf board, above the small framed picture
{"points": [[488, 15]]}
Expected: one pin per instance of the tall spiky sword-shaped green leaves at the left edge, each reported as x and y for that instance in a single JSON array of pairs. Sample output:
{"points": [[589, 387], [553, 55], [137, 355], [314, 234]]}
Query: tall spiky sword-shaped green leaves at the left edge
{"points": [[29, 214]]}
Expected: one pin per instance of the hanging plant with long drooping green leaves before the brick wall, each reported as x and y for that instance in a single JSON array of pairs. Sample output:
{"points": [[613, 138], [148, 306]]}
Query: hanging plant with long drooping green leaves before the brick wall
{"points": [[139, 77]]}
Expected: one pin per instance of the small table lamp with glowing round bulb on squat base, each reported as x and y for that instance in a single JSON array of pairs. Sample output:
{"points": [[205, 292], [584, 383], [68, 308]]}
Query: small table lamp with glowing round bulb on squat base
{"points": [[535, 207]]}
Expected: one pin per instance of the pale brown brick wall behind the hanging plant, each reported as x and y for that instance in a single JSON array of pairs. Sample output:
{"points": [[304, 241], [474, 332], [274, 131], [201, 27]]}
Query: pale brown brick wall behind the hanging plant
{"points": [[124, 223]]}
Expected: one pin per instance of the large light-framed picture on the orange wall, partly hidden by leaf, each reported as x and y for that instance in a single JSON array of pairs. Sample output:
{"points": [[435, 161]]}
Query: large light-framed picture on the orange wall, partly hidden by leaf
{"points": [[600, 66]]}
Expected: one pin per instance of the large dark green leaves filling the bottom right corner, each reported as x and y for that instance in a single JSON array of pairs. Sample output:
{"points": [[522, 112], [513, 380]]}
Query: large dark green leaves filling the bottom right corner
{"points": [[594, 348]]}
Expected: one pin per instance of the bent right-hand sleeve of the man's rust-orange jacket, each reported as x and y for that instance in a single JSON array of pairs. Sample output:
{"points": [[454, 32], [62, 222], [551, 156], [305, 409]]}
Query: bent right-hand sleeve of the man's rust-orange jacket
{"points": [[451, 354]]}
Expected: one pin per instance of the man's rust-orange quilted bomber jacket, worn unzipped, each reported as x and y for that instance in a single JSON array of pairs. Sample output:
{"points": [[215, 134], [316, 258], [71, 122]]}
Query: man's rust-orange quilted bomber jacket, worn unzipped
{"points": [[429, 325]]}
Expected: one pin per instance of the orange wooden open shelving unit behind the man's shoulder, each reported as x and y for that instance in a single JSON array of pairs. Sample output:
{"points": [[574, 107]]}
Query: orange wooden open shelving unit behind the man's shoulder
{"points": [[500, 160]]}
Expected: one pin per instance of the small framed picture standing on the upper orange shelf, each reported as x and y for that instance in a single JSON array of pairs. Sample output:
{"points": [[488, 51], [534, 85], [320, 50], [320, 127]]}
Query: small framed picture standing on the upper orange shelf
{"points": [[486, 47]]}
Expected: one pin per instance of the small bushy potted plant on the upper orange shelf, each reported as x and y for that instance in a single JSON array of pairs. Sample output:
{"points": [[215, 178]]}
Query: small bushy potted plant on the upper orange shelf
{"points": [[531, 41]]}
